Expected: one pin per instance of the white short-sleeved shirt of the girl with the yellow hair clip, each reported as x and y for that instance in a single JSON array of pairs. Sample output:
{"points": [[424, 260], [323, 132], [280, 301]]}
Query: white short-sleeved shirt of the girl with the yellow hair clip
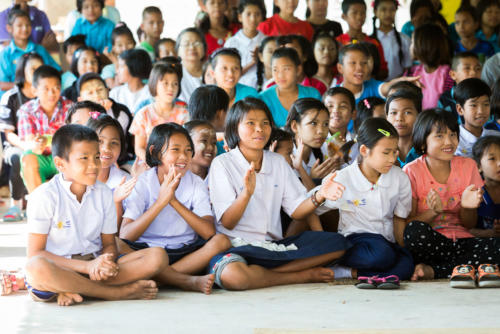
{"points": [[368, 208]]}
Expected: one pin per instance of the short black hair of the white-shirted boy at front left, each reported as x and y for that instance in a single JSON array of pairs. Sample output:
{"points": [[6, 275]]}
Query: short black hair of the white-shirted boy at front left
{"points": [[67, 134]]}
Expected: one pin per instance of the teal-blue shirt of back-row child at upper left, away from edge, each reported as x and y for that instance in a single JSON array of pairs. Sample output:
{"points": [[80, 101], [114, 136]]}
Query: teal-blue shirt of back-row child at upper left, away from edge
{"points": [[98, 35]]}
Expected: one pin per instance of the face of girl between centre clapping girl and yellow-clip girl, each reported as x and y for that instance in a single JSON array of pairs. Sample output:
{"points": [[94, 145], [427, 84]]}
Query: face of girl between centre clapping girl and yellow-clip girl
{"points": [[313, 128]]}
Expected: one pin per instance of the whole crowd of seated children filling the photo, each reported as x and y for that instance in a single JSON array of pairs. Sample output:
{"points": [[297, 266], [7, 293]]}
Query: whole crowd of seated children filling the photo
{"points": [[251, 152]]}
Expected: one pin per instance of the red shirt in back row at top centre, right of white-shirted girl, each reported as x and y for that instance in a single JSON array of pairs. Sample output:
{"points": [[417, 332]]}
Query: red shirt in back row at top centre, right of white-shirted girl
{"points": [[276, 26]]}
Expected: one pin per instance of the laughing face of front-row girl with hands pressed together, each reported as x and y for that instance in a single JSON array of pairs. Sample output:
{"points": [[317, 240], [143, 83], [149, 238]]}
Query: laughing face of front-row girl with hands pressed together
{"points": [[178, 153]]}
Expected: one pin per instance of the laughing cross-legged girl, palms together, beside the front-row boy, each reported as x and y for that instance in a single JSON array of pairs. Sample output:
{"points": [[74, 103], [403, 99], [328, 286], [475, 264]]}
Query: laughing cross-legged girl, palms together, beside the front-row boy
{"points": [[169, 206]]}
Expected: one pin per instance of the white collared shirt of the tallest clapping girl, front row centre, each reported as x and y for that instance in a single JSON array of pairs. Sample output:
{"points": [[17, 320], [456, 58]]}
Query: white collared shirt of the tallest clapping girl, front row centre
{"points": [[277, 187]]}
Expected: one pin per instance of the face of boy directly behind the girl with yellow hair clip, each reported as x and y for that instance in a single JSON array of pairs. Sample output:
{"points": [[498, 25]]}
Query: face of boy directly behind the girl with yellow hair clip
{"points": [[402, 115]]}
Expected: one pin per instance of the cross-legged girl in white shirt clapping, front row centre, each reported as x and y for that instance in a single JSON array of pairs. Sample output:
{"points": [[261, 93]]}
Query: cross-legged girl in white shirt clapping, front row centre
{"points": [[248, 187]]}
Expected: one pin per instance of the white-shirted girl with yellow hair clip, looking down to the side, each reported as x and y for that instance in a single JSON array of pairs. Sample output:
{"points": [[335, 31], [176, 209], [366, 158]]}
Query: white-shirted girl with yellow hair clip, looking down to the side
{"points": [[373, 209]]}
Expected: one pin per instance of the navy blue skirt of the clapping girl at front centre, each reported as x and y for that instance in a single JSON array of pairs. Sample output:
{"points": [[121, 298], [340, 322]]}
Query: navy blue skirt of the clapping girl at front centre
{"points": [[309, 244]]}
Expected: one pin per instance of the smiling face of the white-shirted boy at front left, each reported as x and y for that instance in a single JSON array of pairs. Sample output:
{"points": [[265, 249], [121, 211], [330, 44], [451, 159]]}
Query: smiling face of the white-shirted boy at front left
{"points": [[83, 163]]}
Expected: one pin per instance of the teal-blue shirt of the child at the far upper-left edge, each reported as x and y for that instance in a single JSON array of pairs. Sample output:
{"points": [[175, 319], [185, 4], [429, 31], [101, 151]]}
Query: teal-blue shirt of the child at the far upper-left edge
{"points": [[10, 55]]}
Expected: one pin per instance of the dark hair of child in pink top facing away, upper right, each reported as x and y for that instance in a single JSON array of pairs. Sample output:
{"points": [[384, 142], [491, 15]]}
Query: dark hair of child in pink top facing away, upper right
{"points": [[426, 37]]}
